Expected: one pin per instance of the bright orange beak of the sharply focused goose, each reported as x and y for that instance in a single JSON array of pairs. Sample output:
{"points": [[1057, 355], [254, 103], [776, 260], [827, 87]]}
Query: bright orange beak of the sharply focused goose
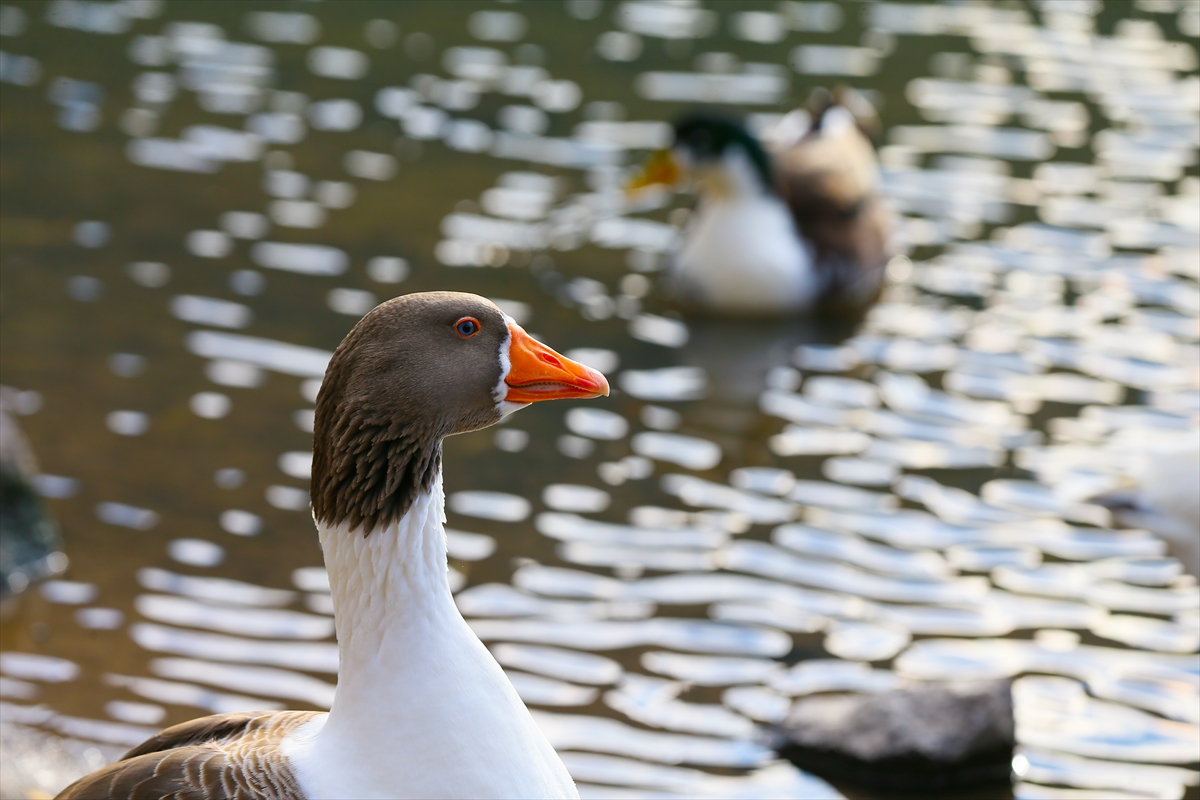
{"points": [[537, 374]]}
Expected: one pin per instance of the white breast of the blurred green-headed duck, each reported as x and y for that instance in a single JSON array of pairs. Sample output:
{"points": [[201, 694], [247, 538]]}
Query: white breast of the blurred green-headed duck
{"points": [[742, 254]]}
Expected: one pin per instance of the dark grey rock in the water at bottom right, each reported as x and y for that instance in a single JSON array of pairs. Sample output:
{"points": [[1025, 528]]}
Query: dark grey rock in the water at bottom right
{"points": [[926, 737]]}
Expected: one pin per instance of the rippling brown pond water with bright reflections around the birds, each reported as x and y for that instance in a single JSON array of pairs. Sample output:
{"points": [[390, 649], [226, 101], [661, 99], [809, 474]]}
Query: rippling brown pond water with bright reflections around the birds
{"points": [[200, 200]]}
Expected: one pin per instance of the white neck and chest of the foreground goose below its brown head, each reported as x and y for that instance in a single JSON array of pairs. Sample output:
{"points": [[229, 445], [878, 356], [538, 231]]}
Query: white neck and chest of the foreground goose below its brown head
{"points": [[422, 708]]}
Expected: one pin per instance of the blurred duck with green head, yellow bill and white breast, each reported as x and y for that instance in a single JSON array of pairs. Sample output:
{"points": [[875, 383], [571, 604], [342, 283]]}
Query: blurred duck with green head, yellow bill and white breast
{"points": [[799, 230]]}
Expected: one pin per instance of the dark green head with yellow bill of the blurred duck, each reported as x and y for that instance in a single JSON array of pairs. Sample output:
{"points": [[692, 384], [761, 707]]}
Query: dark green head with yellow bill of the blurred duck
{"points": [[709, 147]]}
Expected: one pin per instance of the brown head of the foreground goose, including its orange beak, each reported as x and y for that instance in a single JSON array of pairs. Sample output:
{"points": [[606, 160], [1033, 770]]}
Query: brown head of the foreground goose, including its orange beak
{"points": [[416, 370]]}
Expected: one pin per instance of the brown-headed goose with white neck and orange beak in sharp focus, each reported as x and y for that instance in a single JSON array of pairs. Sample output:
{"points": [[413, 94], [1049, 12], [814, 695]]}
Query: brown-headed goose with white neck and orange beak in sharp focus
{"points": [[422, 708]]}
